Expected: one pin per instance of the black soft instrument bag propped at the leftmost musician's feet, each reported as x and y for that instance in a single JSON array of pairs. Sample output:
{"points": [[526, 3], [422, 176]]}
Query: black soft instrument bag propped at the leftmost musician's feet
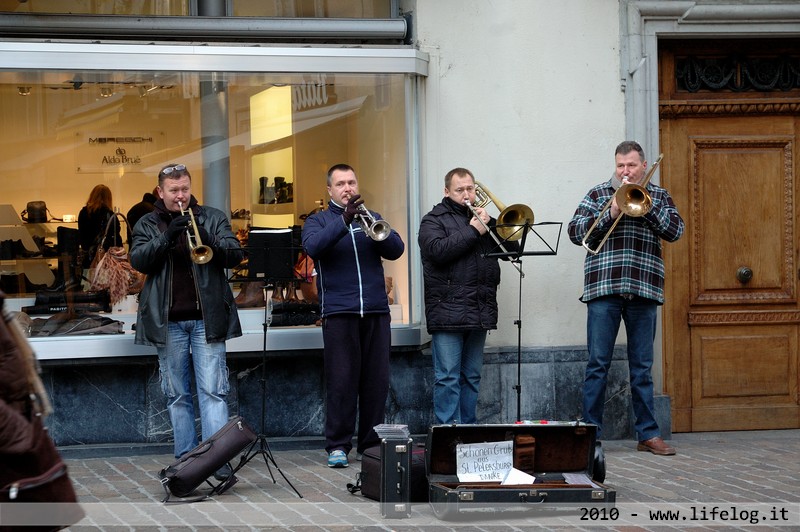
{"points": [[195, 467]]}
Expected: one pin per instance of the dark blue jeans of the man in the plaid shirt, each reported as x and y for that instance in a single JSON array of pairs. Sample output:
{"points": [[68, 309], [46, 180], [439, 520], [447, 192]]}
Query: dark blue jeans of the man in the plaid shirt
{"points": [[603, 323]]}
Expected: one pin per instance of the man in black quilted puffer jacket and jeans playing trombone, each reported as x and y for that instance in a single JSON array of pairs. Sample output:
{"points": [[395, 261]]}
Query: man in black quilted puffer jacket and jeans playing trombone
{"points": [[460, 295]]}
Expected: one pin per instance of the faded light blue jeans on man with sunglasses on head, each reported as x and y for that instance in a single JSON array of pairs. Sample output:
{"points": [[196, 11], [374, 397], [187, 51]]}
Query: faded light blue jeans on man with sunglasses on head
{"points": [[176, 364]]}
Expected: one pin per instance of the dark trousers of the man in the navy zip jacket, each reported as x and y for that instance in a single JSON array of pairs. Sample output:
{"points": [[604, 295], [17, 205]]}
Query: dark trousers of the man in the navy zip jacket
{"points": [[356, 358]]}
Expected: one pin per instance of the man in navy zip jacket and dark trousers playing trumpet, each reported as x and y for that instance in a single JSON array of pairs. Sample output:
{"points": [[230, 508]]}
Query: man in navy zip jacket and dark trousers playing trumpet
{"points": [[356, 324]]}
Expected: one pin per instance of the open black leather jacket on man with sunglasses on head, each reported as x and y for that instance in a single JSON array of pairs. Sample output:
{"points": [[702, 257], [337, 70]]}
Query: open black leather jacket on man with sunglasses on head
{"points": [[150, 254]]}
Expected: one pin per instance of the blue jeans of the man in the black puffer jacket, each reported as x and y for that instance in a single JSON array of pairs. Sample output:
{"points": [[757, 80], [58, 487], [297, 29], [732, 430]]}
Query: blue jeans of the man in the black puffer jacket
{"points": [[457, 362]]}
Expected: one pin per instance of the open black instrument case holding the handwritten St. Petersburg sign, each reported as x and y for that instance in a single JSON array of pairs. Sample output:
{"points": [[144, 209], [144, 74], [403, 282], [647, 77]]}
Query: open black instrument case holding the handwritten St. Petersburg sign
{"points": [[549, 451]]}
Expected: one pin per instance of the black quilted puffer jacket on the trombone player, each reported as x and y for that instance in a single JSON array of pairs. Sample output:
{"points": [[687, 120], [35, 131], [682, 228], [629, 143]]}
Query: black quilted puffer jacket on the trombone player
{"points": [[460, 283]]}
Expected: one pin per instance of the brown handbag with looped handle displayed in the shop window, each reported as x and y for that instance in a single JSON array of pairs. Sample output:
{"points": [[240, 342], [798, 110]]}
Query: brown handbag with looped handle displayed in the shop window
{"points": [[111, 270]]}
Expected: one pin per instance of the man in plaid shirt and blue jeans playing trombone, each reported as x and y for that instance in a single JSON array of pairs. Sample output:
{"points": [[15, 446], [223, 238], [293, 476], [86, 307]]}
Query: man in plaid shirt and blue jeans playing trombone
{"points": [[624, 280]]}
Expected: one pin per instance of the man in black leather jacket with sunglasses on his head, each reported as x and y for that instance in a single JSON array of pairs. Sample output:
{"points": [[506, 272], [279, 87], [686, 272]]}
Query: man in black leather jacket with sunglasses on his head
{"points": [[186, 309]]}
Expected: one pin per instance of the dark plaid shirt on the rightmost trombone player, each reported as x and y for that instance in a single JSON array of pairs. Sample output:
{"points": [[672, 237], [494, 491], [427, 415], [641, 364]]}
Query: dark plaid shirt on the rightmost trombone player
{"points": [[630, 261]]}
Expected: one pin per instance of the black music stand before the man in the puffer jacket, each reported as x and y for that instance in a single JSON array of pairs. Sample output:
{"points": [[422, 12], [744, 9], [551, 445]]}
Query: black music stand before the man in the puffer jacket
{"points": [[515, 257]]}
